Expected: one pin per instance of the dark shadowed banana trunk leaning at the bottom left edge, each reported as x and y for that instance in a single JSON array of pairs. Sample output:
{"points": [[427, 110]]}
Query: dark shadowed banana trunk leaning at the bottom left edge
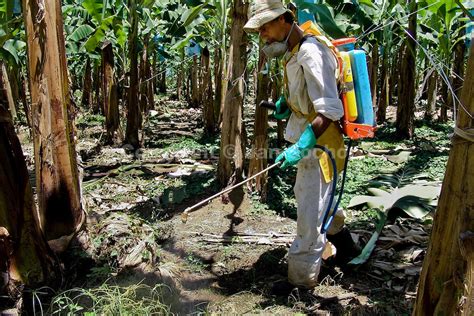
{"points": [[25, 258]]}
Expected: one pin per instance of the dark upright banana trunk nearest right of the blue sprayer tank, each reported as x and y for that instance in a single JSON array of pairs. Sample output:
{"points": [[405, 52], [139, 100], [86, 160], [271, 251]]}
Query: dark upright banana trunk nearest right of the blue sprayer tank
{"points": [[406, 98]]}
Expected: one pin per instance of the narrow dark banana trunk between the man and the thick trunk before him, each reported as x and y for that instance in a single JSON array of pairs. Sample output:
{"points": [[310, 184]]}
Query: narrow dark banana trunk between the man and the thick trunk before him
{"points": [[258, 157]]}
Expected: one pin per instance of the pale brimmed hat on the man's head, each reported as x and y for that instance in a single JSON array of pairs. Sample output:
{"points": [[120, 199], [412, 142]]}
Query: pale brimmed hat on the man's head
{"points": [[263, 11]]}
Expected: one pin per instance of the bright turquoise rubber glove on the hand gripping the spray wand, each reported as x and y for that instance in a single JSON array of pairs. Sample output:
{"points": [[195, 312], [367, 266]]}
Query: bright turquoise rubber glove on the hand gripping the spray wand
{"points": [[296, 152]]}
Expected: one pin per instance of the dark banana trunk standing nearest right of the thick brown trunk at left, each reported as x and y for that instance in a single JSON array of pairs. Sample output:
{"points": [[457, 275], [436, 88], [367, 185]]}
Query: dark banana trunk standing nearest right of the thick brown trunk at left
{"points": [[109, 92]]}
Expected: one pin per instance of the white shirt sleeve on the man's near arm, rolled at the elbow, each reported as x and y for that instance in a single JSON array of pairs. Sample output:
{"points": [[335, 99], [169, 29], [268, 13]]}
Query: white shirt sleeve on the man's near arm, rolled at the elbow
{"points": [[319, 67]]}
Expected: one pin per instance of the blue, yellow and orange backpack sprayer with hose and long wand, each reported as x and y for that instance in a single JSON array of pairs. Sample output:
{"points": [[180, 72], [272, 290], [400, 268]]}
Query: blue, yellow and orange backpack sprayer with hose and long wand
{"points": [[357, 122]]}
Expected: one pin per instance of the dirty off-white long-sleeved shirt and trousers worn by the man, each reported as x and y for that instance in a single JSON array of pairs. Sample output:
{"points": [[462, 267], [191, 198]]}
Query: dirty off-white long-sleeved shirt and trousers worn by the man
{"points": [[311, 84]]}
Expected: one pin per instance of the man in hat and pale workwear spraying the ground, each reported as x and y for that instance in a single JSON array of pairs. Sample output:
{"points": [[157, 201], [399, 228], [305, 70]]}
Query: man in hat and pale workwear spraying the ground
{"points": [[312, 95]]}
